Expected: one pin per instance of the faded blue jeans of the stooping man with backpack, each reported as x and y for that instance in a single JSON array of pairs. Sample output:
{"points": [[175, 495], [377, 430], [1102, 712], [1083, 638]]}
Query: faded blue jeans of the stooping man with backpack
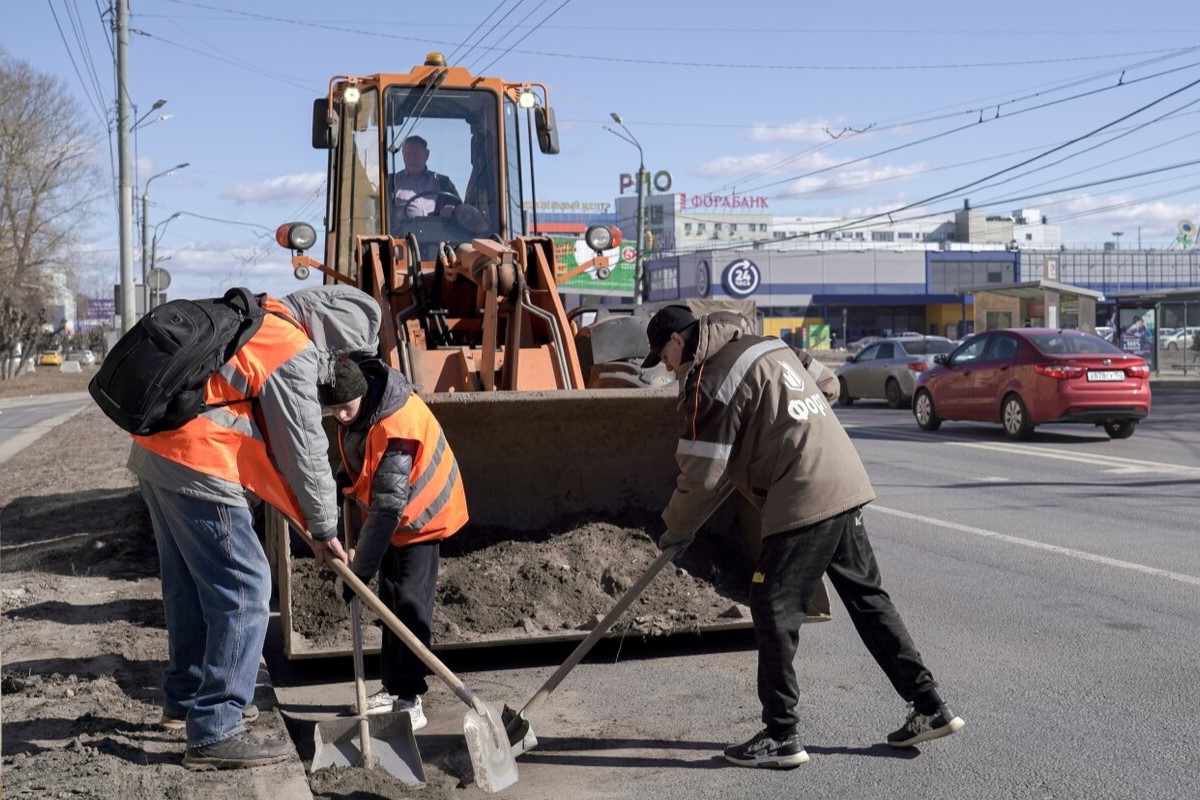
{"points": [[217, 593]]}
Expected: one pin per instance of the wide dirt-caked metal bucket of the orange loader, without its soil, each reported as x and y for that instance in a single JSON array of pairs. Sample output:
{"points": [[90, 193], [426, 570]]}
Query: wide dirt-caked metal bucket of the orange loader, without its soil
{"points": [[532, 460]]}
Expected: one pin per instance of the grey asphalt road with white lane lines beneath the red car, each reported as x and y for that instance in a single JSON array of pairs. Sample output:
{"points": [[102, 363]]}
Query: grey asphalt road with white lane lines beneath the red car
{"points": [[1052, 587]]}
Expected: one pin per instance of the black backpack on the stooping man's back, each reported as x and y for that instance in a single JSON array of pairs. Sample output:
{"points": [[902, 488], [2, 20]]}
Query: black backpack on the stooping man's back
{"points": [[154, 377]]}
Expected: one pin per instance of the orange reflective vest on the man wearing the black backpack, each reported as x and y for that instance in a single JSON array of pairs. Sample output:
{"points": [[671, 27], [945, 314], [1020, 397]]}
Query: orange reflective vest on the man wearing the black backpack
{"points": [[227, 442]]}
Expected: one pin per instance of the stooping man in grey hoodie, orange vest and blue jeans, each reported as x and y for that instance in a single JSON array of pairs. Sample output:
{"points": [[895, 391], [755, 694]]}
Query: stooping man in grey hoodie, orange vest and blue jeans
{"points": [[257, 437]]}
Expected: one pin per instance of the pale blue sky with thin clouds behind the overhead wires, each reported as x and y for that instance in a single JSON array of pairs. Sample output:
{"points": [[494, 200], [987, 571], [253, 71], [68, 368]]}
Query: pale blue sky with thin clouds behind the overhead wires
{"points": [[1088, 112]]}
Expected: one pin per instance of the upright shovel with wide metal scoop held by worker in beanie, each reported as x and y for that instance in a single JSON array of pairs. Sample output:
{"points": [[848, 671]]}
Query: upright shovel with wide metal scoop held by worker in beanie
{"points": [[367, 741]]}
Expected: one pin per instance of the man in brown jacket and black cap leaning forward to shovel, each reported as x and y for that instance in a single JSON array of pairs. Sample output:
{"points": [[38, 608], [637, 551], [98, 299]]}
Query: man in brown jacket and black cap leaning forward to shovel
{"points": [[759, 422]]}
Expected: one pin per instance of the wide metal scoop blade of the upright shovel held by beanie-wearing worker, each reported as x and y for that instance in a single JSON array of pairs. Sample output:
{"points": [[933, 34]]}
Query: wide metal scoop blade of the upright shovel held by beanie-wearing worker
{"points": [[393, 747]]}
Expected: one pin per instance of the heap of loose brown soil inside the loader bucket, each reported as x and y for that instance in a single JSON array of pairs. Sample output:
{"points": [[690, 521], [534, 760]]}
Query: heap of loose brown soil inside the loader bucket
{"points": [[501, 585]]}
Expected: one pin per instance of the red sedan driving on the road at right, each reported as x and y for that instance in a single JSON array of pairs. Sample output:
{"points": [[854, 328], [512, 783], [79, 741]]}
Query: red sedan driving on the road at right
{"points": [[1027, 377]]}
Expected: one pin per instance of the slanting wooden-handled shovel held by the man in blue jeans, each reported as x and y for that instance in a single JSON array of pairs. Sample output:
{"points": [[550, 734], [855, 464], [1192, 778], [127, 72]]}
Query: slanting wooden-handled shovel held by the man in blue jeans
{"points": [[491, 756]]}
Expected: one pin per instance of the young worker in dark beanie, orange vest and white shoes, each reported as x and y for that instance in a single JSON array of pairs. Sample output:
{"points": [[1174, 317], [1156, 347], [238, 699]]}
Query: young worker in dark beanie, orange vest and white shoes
{"points": [[403, 476]]}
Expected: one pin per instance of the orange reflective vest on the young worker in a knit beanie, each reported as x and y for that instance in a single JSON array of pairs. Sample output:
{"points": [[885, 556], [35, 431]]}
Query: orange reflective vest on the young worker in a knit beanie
{"points": [[437, 503]]}
